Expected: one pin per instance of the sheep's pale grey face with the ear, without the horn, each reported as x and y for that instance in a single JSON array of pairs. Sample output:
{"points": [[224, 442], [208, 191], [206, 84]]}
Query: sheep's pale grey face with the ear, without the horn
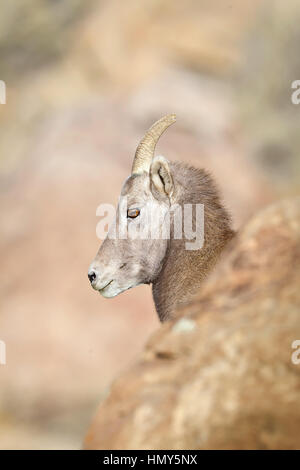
{"points": [[124, 263]]}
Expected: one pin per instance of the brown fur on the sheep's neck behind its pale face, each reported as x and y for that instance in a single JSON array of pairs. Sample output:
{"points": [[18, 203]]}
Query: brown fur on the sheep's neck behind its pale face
{"points": [[184, 270]]}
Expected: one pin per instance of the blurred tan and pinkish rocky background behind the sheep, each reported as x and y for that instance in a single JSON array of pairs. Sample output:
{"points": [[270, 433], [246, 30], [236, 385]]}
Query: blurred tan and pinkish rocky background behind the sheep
{"points": [[84, 80]]}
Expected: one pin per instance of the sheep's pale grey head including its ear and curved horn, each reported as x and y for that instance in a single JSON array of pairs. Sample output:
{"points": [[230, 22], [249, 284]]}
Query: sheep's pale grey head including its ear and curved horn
{"points": [[125, 258]]}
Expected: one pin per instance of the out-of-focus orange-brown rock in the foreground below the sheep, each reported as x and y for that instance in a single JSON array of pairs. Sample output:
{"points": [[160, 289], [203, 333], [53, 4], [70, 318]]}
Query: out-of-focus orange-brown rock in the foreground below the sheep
{"points": [[221, 376]]}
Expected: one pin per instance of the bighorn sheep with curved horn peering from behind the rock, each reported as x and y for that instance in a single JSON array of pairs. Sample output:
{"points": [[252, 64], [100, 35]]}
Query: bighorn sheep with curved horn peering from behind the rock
{"points": [[174, 271]]}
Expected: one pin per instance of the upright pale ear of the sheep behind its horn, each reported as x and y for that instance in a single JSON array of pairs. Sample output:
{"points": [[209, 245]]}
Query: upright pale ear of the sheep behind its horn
{"points": [[160, 177]]}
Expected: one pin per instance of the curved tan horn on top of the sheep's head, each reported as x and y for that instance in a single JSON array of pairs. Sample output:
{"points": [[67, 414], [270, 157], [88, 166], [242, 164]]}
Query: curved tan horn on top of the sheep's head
{"points": [[145, 150]]}
